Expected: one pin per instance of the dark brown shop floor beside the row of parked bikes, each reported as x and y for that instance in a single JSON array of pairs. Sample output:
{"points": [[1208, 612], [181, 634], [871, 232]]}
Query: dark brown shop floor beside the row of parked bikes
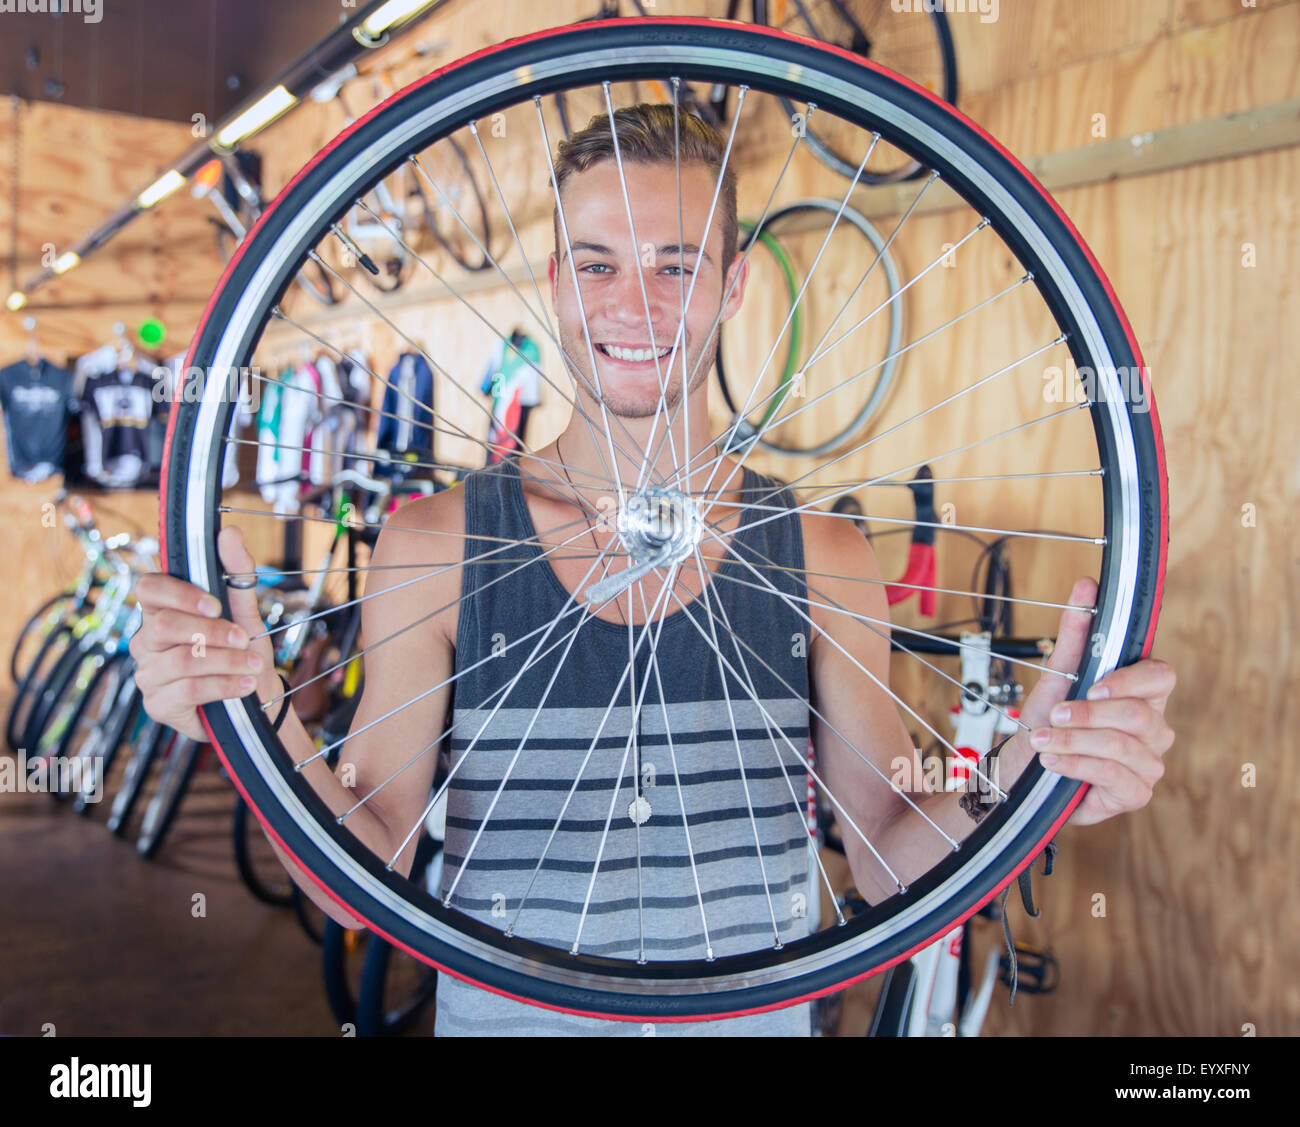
{"points": [[99, 942]]}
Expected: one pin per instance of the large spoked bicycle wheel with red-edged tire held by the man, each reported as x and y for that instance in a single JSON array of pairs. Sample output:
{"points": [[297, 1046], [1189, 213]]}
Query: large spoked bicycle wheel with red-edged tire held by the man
{"points": [[1111, 471]]}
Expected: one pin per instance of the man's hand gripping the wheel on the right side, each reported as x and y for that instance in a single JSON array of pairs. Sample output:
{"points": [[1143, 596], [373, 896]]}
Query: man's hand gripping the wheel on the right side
{"points": [[1117, 739]]}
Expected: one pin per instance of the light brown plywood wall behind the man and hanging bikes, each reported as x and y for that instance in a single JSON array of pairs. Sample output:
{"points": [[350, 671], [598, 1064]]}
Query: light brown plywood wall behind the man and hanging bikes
{"points": [[1195, 934]]}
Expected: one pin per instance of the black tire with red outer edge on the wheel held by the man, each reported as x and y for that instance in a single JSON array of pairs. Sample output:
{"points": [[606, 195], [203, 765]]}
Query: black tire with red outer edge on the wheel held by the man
{"points": [[1071, 272]]}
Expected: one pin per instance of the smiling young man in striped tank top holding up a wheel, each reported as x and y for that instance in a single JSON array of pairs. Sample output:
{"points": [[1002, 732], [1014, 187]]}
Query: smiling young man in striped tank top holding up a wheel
{"points": [[735, 664]]}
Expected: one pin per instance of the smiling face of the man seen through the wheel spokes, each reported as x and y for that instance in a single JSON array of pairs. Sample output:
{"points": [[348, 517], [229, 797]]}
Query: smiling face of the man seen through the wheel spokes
{"points": [[612, 271]]}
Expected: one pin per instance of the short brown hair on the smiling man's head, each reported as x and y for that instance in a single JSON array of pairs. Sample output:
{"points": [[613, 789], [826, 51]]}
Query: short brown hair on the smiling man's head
{"points": [[648, 135]]}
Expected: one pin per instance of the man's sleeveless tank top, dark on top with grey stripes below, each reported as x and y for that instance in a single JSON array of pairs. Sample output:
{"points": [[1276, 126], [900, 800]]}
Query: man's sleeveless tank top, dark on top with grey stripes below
{"points": [[678, 804]]}
